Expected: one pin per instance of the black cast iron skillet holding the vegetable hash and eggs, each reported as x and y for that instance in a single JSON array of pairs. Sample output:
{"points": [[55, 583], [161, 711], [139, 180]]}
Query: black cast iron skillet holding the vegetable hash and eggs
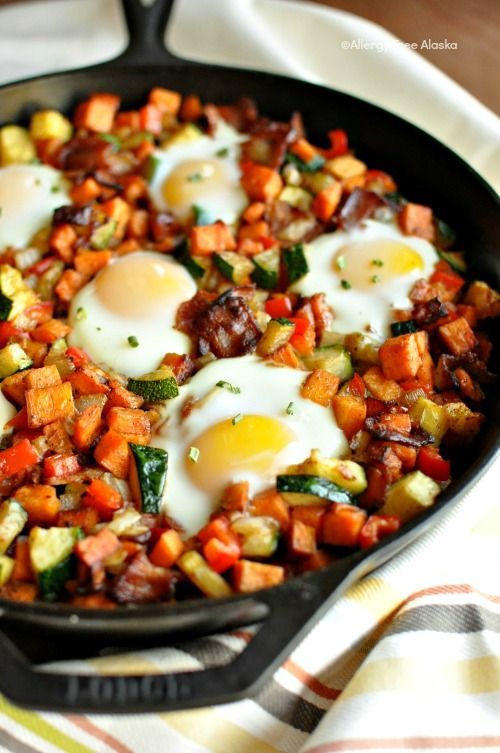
{"points": [[426, 171]]}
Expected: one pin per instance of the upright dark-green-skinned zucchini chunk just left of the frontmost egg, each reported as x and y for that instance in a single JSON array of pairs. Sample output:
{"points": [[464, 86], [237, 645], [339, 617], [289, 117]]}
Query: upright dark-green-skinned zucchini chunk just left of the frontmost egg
{"points": [[148, 475]]}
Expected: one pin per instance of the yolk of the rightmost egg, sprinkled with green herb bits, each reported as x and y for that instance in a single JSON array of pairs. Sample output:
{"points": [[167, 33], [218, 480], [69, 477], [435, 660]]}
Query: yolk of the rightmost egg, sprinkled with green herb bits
{"points": [[377, 261]]}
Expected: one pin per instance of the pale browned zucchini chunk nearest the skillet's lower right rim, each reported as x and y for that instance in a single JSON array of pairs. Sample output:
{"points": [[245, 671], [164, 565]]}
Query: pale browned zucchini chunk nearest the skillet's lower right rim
{"points": [[410, 496]]}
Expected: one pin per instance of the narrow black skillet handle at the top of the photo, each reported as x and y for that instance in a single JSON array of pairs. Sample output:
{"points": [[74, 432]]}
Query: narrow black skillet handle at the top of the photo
{"points": [[146, 27]]}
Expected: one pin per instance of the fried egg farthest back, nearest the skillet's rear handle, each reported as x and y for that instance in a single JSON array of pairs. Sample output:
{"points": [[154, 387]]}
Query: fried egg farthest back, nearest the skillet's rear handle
{"points": [[203, 173]]}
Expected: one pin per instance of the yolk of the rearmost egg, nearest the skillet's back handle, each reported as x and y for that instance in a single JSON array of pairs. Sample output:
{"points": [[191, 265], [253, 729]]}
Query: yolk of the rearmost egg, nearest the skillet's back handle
{"points": [[191, 181]]}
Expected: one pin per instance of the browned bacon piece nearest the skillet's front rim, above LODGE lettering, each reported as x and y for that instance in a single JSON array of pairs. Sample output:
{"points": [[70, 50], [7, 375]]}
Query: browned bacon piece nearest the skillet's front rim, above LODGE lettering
{"points": [[143, 583]]}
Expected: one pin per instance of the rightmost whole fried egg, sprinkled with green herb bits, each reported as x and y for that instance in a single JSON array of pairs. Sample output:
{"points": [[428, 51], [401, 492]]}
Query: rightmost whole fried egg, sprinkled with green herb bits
{"points": [[365, 274]]}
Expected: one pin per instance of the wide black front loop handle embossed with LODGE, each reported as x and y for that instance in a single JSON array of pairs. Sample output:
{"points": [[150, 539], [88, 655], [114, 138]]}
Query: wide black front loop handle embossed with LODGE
{"points": [[291, 608]]}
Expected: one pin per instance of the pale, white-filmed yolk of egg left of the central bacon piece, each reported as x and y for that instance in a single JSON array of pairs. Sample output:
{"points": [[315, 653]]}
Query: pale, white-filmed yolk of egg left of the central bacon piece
{"points": [[139, 285]]}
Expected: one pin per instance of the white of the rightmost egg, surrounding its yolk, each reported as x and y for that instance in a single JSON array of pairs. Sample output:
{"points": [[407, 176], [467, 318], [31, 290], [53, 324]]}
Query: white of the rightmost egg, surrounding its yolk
{"points": [[366, 309]]}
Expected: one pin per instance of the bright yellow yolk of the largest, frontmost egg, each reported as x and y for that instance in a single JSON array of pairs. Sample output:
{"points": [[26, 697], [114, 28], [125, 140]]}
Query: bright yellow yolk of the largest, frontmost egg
{"points": [[247, 444]]}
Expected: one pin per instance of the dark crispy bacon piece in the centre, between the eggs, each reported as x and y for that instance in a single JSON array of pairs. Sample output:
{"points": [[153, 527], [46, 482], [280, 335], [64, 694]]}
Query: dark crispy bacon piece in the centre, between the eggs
{"points": [[227, 328]]}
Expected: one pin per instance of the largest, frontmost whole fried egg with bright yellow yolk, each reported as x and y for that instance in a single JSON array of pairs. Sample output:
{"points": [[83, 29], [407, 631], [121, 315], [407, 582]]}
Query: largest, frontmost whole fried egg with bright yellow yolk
{"points": [[249, 428]]}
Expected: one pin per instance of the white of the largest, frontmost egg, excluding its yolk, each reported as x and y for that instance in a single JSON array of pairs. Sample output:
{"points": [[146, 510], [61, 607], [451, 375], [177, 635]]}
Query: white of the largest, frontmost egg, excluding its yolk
{"points": [[265, 390]]}
